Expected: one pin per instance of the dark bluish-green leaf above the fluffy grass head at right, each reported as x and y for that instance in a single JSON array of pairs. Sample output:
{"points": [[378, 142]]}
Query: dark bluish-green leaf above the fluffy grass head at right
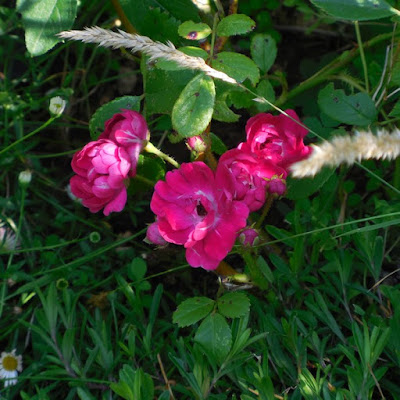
{"points": [[357, 109]]}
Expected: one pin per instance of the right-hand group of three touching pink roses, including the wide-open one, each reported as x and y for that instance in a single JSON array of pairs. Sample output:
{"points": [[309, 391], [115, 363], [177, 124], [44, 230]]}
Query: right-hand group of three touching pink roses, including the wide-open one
{"points": [[205, 210]]}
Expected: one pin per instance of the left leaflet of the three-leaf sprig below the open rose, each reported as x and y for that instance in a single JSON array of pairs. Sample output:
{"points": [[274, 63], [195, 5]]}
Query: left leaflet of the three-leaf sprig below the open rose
{"points": [[192, 310]]}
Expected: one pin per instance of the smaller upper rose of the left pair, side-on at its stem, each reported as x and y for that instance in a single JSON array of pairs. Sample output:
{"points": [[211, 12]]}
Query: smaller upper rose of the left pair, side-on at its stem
{"points": [[129, 130]]}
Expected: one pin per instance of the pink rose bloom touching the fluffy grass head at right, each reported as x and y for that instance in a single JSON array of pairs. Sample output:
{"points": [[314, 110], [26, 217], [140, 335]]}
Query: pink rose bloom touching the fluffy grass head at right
{"points": [[276, 138]]}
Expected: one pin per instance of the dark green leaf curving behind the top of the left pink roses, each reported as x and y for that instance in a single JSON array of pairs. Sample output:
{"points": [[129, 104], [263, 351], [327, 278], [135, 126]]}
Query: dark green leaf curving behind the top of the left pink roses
{"points": [[106, 111]]}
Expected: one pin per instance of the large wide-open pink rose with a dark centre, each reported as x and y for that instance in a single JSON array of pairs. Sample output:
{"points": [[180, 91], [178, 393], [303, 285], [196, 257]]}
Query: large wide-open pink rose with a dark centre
{"points": [[196, 209]]}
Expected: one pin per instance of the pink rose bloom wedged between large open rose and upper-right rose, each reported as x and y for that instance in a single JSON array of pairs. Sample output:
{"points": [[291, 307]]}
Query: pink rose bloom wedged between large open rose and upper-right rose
{"points": [[252, 177]]}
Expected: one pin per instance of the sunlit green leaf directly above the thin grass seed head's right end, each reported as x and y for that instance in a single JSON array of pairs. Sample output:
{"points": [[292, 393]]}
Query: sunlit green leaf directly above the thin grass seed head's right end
{"points": [[237, 66]]}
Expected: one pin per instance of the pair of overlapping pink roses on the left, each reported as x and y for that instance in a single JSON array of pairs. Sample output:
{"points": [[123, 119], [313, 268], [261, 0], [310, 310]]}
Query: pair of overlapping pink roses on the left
{"points": [[103, 167]]}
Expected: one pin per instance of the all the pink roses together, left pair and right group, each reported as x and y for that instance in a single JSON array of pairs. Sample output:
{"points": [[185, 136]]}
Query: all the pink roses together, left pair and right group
{"points": [[201, 209]]}
